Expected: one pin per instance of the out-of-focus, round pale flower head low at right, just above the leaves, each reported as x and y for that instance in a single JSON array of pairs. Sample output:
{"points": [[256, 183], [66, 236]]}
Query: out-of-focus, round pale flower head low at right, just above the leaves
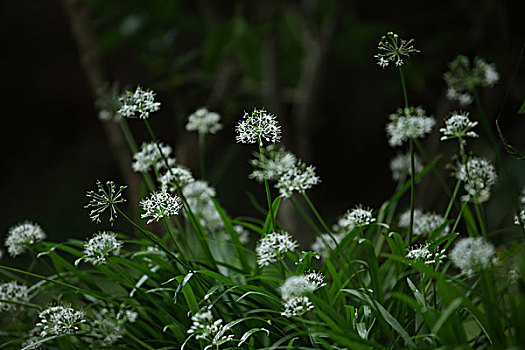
{"points": [[472, 254]]}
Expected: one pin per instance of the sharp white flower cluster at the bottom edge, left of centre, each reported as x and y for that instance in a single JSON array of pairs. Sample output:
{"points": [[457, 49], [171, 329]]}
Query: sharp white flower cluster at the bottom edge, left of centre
{"points": [[206, 328]]}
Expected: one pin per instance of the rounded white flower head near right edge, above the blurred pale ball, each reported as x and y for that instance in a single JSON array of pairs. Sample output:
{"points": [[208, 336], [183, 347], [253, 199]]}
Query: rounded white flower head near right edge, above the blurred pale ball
{"points": [[479, 176]]}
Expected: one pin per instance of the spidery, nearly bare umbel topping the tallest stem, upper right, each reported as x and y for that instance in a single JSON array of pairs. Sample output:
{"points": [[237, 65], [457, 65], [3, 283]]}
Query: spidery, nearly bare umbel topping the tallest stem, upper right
{"points": [[394, 50]]}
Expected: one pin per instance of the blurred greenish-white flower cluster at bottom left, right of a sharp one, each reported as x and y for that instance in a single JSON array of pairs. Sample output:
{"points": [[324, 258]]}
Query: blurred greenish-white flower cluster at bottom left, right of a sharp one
{"points": [[108, 325]]}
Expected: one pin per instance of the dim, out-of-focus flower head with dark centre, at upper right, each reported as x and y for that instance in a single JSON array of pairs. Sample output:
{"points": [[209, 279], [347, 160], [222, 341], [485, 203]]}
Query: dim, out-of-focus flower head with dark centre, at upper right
{"points": [[463, 78]]}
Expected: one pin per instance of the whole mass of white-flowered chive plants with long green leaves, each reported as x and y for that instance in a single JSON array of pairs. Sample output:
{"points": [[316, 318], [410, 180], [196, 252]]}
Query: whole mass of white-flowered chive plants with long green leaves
{"points": [[186, 275]]}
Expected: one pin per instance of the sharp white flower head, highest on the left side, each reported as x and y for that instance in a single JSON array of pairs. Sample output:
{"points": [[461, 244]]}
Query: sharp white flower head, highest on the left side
{"points": [[138, 104]]}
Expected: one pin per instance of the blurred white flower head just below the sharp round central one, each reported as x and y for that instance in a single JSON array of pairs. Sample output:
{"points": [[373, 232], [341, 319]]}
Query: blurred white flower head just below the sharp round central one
{"points": [[271, 163]]}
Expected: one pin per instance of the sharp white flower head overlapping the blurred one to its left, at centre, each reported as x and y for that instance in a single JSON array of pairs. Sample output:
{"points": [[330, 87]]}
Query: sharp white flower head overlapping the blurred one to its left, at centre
{"points": [[297, 179]]}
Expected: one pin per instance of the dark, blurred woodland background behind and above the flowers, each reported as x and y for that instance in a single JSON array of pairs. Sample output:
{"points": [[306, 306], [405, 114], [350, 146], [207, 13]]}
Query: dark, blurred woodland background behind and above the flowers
{"points": [[309, 62]]}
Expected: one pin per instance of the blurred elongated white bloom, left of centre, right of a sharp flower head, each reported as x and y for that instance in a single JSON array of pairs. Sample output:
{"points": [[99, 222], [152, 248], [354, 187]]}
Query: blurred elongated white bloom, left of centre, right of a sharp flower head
{"points": [[198, 194]]}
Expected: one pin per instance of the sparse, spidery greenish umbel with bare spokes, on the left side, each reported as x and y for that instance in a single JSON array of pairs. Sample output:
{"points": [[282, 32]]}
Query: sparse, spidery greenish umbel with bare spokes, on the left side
{"points": [[103, 199]]}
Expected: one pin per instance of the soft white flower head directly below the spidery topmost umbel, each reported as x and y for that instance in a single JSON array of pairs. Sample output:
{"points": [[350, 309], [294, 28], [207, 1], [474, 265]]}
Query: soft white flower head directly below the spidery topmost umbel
{"points": [[407, 123]]}
